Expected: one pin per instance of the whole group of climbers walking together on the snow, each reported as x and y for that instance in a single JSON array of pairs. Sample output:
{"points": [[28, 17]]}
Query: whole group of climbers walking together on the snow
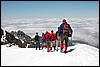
{"points": [[52, 40]]}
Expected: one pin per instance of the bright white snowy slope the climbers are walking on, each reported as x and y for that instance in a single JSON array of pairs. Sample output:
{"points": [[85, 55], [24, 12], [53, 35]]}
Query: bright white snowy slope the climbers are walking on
{"points": [[82, 55]]}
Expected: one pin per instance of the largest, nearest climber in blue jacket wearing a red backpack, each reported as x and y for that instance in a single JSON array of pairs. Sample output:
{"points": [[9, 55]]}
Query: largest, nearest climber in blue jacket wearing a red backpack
{"points": [[64, 32]]}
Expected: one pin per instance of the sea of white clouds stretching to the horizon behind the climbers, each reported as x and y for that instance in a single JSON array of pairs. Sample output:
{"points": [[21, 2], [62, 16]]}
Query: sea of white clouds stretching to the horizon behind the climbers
{"points": [[85, 30]]}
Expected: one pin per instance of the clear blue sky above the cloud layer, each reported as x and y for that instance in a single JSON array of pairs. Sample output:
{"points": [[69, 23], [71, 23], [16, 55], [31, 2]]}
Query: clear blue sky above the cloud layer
{"points": [[49, 9]]}
